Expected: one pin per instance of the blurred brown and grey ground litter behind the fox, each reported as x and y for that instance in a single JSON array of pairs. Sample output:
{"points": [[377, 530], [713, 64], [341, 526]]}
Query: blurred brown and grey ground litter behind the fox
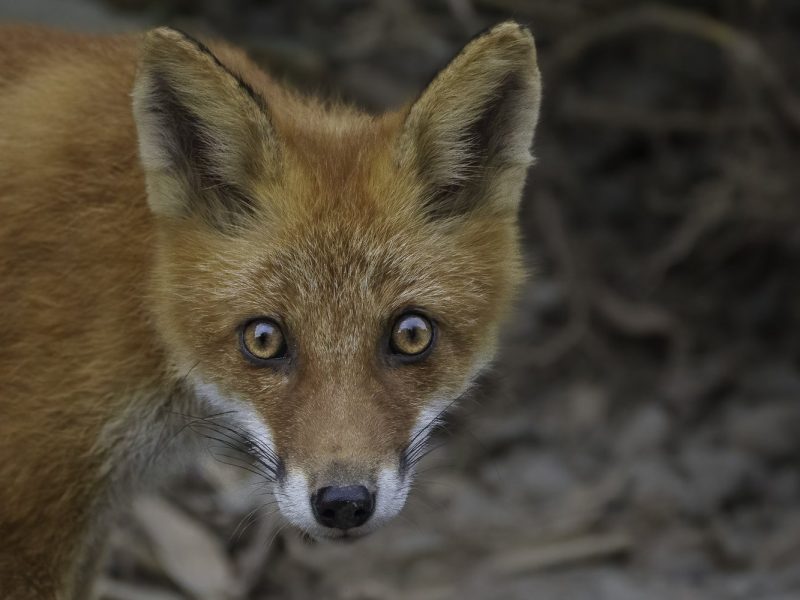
{"points": [[639, 436]]}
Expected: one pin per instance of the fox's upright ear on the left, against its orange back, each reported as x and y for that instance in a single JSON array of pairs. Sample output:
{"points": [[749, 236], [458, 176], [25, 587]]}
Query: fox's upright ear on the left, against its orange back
{"points": [[204, 134]]}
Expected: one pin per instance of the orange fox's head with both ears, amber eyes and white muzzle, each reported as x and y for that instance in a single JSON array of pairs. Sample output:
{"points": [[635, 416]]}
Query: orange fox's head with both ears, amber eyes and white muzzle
{"points": [[331, 282]]}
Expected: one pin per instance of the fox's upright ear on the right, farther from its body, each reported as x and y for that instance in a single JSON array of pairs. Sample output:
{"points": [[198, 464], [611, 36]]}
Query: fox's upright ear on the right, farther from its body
{"points": [[469, 134]]}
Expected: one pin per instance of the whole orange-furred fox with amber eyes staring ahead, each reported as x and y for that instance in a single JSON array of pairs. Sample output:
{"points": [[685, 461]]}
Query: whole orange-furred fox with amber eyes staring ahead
{"points": [[188, 243]]}
